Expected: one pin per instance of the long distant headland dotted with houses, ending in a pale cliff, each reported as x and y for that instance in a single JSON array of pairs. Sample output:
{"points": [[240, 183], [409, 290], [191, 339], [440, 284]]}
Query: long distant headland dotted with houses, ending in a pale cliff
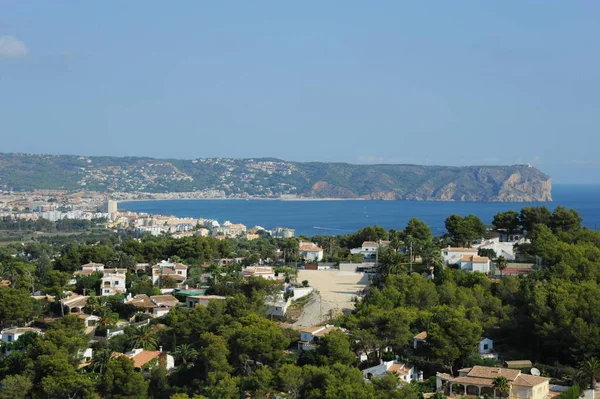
{"points": [[274, 178]]}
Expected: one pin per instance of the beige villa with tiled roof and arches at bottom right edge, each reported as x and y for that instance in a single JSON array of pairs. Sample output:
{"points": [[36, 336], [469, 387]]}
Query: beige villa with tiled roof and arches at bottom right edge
{"points": [[479, 380]]}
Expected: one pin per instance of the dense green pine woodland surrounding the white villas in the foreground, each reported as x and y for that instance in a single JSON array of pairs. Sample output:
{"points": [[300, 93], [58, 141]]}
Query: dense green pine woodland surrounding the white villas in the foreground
{"points": [[230, 348]]}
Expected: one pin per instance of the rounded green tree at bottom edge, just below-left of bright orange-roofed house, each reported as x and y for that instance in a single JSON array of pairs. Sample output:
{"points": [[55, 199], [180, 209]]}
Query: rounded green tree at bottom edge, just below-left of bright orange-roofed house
{"points": [[121, 381]]}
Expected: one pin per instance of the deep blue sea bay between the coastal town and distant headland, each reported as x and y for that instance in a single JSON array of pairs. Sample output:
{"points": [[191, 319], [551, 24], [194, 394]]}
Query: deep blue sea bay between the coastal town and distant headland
{"points": [[335, 217]]}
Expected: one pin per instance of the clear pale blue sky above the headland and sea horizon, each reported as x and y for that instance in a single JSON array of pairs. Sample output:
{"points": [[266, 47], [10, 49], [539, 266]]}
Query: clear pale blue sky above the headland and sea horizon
{"points": [[486, 82]]}
